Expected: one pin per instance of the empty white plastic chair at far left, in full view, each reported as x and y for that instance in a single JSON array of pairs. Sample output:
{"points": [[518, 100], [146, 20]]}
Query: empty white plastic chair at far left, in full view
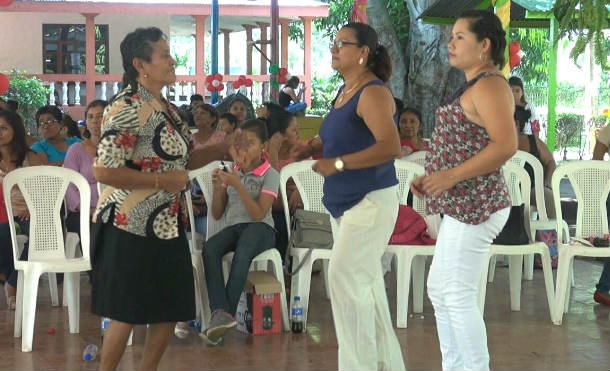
{"points": [[43, 188]]}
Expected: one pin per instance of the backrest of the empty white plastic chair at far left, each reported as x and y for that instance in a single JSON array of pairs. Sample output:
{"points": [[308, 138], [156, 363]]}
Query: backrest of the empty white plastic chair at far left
{"points": [[44, 189]]}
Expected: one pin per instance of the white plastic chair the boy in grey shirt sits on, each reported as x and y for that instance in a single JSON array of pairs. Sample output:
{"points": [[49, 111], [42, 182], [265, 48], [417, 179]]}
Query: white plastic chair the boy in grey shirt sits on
{"points": [[204, 178]]}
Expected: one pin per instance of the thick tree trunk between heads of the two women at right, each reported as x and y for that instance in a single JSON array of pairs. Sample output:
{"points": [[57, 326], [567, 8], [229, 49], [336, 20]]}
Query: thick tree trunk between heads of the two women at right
{"points": [[430, 78]]}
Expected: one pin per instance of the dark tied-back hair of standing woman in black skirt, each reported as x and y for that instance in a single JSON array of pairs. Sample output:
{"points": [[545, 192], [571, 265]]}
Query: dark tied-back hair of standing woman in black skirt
{"points": [[137, 44]]}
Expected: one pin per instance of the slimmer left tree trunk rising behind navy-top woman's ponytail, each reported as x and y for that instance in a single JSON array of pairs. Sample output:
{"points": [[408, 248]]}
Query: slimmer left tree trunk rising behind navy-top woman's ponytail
{"points": [[379, 18]]}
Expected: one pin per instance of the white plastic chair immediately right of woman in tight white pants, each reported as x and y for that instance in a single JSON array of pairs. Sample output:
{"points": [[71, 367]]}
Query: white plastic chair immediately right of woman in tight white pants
{"points": [[518, 182]]}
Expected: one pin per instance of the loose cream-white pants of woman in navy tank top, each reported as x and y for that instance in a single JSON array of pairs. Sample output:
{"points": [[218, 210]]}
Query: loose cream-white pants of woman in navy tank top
{"points": [[365, 335]]}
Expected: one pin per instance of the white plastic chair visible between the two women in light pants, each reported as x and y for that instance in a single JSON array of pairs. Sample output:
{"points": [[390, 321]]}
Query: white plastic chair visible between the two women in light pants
{"points": [[409, 258]]}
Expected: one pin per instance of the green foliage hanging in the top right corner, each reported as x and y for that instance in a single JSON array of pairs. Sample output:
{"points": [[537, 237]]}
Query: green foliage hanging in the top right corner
{"points": [[585, 21]]}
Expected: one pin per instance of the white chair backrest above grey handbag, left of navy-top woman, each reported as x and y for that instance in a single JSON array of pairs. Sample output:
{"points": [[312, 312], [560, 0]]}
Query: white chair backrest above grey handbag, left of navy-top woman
{"points": [[309, 184]]}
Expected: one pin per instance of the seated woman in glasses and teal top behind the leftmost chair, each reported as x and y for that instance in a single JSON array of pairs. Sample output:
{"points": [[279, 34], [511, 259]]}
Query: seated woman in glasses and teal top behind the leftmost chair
{"points": [[53, 145]]}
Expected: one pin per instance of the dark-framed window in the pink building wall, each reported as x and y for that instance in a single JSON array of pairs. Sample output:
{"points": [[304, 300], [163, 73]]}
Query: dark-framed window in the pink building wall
{"points": [[63, 48]]}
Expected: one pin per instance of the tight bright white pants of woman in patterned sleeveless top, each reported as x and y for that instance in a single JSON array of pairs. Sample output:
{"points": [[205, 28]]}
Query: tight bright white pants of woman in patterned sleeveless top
{"points": [[460, 256]]}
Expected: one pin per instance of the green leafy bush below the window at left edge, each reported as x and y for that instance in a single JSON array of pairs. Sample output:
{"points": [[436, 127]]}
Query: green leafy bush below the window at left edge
{"points": [[29, 92]]}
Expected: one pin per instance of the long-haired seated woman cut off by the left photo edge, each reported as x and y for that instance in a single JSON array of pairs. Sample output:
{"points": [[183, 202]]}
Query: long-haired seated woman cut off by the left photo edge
{"points": [[14, 153]]}
